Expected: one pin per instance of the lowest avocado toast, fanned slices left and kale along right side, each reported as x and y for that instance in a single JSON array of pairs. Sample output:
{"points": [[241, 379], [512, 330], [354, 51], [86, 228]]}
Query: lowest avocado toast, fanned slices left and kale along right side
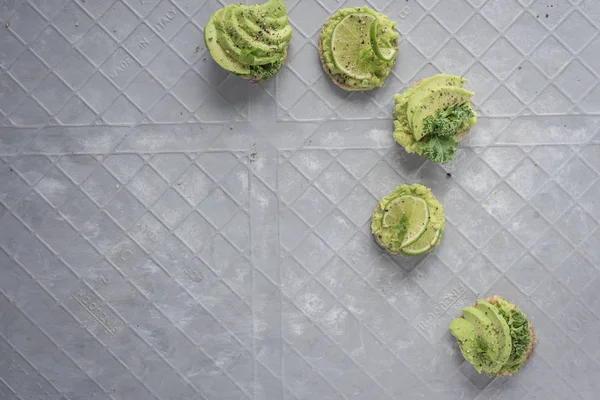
{"points": [[494, 336]]}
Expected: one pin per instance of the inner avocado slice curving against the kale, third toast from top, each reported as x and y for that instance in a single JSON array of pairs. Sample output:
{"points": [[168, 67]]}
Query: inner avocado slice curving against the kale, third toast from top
{"points": [[437, 99]]}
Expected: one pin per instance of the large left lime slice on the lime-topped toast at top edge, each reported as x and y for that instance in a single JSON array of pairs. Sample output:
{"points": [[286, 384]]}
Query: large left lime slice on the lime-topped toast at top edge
{"points": [[351, 45]]}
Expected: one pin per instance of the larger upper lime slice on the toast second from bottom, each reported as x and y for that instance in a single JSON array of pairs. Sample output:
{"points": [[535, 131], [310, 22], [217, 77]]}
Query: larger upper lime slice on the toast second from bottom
{"points": [[410, 215]]}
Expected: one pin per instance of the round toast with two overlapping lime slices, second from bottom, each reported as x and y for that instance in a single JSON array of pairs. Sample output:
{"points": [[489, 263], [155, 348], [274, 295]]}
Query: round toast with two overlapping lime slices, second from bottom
{"points": [[408, 221]]}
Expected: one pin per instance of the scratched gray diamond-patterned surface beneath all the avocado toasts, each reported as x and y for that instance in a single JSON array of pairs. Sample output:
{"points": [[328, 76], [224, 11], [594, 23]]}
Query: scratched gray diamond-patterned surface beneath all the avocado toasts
{"points": [[168, 231]]}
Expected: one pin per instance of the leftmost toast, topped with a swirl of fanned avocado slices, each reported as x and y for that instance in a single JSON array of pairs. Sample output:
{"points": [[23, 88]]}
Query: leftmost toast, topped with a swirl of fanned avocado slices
{"points": [[249, 41]]}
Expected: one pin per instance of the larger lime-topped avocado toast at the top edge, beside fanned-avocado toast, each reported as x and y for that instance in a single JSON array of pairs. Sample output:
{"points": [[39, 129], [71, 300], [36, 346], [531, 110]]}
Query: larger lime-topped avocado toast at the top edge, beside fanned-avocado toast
{"points": [[358, 48]]}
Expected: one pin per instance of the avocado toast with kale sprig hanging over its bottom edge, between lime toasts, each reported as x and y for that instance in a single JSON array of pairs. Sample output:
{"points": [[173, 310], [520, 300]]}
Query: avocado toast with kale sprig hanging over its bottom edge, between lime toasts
{"points": [[432, 116]]}
